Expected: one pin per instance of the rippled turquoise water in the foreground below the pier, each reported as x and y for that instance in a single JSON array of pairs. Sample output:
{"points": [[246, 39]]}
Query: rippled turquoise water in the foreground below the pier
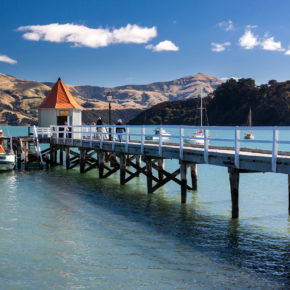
{"points": [[63, 230]]}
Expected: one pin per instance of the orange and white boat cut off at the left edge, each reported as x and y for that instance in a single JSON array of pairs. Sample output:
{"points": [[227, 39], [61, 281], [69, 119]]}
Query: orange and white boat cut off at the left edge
{"points": [[7, 157]]}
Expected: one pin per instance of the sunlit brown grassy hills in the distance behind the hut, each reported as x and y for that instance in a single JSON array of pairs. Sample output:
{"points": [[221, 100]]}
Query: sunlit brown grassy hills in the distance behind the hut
{"points": [[20, 98]]}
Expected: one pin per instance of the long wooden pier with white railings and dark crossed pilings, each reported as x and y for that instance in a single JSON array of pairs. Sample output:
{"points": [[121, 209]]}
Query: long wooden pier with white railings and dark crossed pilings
{"points": [[135, 155]]}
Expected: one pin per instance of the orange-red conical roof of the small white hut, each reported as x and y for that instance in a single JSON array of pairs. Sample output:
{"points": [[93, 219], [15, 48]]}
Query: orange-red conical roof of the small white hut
{"points": [[60, 98]]}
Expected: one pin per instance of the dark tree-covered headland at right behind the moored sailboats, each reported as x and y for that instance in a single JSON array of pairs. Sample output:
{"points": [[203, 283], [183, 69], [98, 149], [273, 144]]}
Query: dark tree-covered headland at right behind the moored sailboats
{"points": [[228, 105]]}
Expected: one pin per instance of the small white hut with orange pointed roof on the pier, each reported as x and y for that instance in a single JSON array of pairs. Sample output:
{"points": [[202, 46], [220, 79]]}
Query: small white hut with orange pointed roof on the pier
{"points": [[59, 107]]}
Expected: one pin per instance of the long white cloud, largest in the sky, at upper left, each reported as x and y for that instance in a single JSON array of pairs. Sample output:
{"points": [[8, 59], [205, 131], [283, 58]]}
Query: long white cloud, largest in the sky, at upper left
{"points": [[81, 35]]}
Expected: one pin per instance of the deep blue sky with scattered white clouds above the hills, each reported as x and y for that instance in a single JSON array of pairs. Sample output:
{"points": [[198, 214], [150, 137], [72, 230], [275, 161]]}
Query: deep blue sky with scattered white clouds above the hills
{"points": [[110, 43]]}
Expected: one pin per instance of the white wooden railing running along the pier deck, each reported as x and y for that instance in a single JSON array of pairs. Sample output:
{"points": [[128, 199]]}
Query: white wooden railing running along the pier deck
{"points": [[144, 136]]}
